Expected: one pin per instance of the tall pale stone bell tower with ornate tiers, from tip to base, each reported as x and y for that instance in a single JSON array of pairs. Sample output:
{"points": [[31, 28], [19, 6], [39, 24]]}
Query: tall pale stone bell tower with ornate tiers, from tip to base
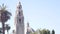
{"points": [[19, 19]]}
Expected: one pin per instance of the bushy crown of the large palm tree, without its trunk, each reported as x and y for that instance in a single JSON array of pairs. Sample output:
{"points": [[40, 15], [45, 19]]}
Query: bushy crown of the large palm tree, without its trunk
{"points": [[4, 14]]}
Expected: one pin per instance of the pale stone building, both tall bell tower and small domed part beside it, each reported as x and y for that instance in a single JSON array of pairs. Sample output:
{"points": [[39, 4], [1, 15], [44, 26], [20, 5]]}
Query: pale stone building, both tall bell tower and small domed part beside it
{"points": [[19, 22]]}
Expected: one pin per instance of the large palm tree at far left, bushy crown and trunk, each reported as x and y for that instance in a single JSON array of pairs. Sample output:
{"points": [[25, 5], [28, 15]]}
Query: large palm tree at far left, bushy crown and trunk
{"points": [[4, 16]]}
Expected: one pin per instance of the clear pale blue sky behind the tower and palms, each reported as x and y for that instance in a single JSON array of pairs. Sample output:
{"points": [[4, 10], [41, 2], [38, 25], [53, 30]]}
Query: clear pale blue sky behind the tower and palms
{"points": [[39, 13]]}
